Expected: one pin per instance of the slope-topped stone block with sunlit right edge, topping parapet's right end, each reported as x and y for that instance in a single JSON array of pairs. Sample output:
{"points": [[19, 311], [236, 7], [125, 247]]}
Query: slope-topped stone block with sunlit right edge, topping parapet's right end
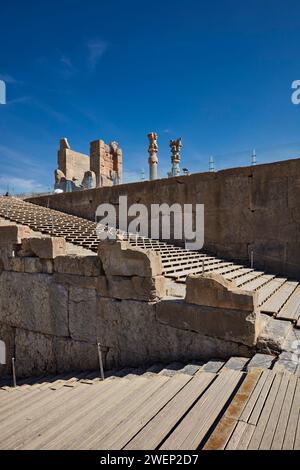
{"points": [[212, 290]]}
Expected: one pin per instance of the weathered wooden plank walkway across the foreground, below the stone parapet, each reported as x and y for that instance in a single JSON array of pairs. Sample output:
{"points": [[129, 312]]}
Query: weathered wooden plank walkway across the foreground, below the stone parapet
{"points": [[225, 409]]}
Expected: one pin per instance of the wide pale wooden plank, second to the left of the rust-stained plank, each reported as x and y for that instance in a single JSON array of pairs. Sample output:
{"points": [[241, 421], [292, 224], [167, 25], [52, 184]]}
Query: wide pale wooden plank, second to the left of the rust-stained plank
{"points": [[159, 427]]}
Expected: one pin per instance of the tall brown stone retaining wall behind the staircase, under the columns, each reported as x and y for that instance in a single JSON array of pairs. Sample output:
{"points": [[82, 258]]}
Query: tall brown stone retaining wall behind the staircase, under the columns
{"points": [[253, 208]]}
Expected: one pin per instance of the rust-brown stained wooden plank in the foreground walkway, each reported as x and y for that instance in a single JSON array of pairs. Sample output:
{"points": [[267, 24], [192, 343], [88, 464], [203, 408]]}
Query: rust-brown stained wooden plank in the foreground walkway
{"points": [[228, 422]]}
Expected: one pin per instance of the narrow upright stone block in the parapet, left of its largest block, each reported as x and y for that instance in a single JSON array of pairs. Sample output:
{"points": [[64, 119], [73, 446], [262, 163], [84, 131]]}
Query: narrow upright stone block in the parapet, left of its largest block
{"points": [[82, 314]]}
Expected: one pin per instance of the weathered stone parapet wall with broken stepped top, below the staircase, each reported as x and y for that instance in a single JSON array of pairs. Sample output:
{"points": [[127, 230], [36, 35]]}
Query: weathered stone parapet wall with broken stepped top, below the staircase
{"points": [[55, 308]]}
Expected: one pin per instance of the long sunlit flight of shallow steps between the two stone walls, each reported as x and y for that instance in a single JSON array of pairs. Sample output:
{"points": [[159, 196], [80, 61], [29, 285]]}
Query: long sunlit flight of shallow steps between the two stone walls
{"points": [[278, 296]]}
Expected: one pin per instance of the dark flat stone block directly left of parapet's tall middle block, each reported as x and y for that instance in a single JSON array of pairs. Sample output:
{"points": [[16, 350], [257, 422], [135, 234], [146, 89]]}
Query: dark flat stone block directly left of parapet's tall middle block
{"points": [[79, 265]]}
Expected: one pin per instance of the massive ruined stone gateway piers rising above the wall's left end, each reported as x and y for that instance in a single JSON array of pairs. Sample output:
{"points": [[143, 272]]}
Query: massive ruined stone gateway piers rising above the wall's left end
{"points": [[77, 171]]}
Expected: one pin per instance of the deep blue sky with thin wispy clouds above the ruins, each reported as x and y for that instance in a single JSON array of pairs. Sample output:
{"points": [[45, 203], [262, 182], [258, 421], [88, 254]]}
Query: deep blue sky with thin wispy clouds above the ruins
{"points": [[217, 73]]}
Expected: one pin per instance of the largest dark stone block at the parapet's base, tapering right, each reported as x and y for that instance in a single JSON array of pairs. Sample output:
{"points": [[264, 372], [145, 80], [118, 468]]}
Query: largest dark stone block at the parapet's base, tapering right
{"points": [[135, 335]]}
